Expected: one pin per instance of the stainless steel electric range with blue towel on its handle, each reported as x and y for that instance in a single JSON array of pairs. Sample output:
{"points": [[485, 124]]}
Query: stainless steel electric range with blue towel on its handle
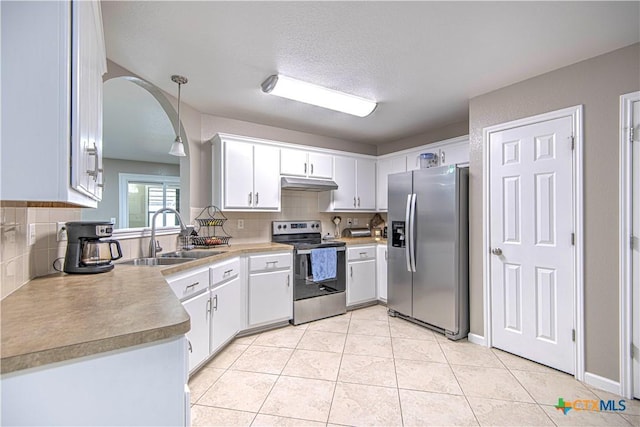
{"points": [[312, 300]]}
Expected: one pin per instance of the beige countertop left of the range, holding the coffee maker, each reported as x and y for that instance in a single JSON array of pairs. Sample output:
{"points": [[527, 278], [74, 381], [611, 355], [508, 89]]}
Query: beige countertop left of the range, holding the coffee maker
{"points": [[64, 316]]}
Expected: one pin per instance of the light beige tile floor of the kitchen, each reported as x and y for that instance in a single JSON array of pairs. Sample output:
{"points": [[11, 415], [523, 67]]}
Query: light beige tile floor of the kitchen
{"points": [[365, 368]]}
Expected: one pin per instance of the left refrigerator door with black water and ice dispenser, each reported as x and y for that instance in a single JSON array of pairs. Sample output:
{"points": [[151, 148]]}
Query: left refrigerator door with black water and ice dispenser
{"points": [[399, 276]]}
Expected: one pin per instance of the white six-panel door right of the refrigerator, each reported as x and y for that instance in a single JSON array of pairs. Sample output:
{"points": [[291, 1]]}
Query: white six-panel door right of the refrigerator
{"points": [[532, 261]]}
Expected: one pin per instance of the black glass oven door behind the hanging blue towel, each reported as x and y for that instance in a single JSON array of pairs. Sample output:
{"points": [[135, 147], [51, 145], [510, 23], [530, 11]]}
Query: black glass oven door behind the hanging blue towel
{"points": [[305, 287]]}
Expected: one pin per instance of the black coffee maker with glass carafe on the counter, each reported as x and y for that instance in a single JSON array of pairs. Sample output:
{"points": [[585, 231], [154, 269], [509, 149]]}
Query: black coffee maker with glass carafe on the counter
{"points": [[87, 253]]}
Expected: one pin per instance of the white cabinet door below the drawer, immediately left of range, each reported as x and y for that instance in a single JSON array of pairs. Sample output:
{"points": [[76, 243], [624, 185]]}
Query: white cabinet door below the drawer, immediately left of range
{"points": [[270, 297]]}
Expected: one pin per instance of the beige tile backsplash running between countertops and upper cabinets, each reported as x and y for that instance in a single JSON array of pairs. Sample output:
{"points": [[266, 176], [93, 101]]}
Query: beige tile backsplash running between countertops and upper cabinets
{"points": [[21, 262]]}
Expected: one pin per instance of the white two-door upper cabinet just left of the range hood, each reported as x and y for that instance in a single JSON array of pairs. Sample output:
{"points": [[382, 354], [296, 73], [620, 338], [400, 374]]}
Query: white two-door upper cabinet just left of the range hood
{"points": [[246, 175]]}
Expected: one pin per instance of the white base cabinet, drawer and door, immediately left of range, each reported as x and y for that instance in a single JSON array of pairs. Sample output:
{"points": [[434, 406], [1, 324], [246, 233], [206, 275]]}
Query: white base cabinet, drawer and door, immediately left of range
{"points": [[270, 289]]}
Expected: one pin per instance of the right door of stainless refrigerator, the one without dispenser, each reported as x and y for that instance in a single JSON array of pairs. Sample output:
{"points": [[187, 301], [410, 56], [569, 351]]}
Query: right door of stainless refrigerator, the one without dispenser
{"points": [[435, 283]]}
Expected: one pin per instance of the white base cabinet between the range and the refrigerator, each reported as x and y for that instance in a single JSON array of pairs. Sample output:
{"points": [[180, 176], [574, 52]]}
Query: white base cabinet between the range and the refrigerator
{"points": [[361, 274]]}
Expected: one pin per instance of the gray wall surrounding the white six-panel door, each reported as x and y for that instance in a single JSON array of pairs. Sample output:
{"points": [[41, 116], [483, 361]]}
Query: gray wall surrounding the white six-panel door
{"points": [[596, 83]]}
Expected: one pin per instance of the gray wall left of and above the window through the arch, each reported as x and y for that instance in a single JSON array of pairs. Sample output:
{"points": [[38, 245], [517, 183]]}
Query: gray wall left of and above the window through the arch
{"points": [[109, 206]]}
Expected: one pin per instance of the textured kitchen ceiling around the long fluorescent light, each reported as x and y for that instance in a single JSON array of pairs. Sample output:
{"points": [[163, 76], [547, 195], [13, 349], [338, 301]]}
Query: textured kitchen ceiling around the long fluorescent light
{"points": [[421, 60]]}
